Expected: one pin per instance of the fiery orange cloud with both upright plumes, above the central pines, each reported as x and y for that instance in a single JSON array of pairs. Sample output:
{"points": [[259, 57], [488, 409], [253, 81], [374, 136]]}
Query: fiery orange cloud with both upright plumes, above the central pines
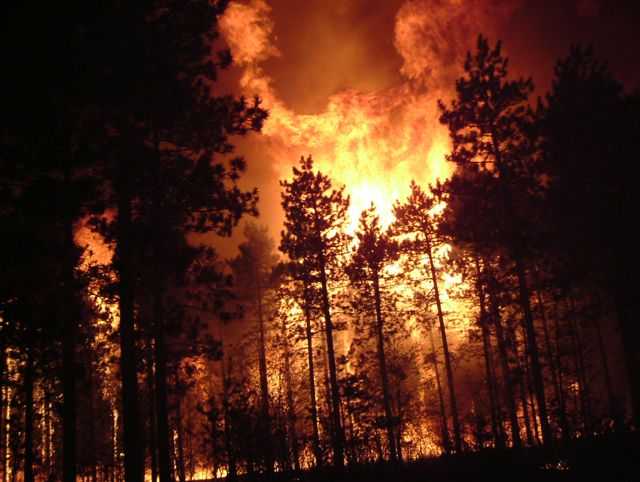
{"points": [[374, 142]]}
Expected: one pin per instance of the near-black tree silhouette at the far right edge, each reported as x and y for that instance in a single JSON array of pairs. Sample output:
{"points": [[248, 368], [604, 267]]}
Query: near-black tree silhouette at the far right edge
{"points": [[587, 123]]}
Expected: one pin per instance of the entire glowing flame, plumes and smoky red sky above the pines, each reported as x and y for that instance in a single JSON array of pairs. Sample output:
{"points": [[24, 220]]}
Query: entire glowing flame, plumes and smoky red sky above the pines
{"points": [[375, 137]]}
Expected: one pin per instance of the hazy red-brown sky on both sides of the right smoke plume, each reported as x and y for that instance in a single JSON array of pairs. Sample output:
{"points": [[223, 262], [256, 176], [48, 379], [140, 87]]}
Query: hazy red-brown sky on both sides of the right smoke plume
{"points": [[330, 45]]}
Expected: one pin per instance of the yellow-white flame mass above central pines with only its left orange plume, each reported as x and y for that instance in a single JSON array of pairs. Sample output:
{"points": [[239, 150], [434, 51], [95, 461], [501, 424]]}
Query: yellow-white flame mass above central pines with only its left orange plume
{"points": [[374, 143]]}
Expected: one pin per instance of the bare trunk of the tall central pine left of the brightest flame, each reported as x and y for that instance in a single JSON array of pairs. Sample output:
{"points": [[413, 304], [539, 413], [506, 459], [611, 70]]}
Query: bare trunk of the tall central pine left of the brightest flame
{"points": [[338, 433]]}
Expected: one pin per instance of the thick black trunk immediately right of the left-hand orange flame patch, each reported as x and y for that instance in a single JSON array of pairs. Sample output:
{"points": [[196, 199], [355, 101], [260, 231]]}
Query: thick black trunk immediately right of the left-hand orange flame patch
{"points": [[132, 439]]}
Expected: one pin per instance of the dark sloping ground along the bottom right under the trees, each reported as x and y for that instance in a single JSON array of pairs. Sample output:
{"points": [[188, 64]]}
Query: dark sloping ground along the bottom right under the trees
{"points": [[606, 458]]}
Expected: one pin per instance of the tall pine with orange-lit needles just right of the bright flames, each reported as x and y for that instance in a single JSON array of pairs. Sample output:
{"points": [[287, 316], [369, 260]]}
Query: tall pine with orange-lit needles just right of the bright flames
{"points": [[488, 124]]}
